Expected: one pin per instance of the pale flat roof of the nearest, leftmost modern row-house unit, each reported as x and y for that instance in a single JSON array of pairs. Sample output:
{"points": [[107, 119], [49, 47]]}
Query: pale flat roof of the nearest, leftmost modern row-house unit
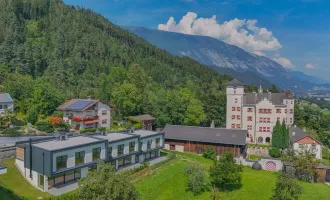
{"points": [[70, 142]]}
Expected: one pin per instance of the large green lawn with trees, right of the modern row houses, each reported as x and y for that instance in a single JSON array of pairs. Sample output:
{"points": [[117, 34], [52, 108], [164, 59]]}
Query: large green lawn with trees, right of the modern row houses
{"points": [[169, 182]]}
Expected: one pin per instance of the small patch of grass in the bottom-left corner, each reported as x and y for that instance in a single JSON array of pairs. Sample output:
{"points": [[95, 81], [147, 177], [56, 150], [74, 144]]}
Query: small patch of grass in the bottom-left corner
{"points": [[13, 185]]}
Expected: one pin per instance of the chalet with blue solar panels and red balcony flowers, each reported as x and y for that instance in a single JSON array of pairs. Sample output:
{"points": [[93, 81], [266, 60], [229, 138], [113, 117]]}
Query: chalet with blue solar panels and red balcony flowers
{"points": [[86, 113]]}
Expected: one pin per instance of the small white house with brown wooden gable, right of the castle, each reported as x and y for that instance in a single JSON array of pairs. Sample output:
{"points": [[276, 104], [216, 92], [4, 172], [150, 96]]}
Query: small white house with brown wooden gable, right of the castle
{"points": [[301, 141]]}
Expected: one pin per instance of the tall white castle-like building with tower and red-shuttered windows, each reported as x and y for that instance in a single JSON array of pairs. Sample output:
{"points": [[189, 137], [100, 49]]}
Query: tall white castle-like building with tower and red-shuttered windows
{"points": [[257, 112]]}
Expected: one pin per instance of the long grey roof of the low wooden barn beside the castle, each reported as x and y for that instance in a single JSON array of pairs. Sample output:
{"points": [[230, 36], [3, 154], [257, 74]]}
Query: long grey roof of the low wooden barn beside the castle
{"points": [[205, 134]]}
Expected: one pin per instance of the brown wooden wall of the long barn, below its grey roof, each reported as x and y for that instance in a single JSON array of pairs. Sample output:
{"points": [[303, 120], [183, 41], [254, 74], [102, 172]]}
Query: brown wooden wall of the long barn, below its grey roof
{"points": [[198, 147]]}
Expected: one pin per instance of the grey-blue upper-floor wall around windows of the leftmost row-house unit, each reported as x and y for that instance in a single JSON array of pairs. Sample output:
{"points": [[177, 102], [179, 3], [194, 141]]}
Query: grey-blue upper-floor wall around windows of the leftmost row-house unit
{"points": [[71, 154]]}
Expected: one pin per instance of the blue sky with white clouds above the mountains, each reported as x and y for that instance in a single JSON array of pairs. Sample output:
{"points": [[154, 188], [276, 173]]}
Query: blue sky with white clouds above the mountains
{"points": [[294, 33]]}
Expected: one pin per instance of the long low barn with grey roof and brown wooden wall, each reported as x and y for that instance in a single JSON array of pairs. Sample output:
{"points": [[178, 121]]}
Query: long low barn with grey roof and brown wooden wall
{"points": [[196, 139]]}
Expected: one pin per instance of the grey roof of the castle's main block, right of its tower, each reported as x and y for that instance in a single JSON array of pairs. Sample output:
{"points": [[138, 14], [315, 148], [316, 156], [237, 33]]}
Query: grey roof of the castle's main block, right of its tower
{"points": [[254, 98]]}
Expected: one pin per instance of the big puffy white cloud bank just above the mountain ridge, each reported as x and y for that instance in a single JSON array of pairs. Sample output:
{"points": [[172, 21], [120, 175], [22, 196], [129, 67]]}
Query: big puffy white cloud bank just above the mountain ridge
{"points": [[243, 33]]}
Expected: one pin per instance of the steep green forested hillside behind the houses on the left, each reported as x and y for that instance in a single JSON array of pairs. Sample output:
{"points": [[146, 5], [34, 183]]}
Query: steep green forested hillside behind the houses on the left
{"points": [[50, 52]]}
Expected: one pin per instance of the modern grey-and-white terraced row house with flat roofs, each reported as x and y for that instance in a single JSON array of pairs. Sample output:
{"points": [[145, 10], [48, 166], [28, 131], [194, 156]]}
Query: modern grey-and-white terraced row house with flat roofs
{"points": [[53, 162]]}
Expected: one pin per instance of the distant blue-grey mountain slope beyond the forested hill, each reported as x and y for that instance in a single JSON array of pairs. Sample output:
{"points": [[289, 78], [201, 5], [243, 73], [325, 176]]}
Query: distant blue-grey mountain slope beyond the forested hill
{"points": [[223, 57]]}
